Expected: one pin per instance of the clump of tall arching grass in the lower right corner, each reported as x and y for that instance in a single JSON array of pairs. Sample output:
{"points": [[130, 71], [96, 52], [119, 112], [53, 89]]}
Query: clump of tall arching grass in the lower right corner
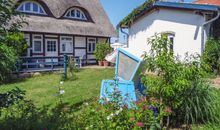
{"points": [[200, 105]]}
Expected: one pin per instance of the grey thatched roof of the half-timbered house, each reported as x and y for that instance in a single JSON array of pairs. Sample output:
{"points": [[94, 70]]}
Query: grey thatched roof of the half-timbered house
{"points": [[98, 24]]}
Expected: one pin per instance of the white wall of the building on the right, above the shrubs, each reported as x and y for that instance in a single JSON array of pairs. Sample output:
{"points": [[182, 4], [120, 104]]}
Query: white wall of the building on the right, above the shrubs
{"points": [[185, 24]]}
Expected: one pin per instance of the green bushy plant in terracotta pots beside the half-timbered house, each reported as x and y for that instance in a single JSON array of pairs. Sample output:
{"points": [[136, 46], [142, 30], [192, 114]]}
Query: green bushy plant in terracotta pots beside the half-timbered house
{"points": [[101, 50]]}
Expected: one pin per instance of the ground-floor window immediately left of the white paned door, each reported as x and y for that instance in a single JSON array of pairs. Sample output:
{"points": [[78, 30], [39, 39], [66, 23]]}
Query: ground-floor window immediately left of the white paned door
{"points": [[37, 44]]}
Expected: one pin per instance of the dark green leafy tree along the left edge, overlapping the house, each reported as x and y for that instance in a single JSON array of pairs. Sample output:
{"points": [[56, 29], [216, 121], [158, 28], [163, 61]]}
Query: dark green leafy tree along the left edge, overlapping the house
{"points": [[12, 43]]}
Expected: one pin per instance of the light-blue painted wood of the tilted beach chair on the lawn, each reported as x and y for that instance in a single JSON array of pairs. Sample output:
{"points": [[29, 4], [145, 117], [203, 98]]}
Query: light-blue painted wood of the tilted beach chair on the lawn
{"points": [[131, 90]]}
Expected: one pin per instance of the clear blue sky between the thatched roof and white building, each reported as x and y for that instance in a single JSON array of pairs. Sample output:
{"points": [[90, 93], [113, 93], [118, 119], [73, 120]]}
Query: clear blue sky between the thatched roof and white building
{"points": [[118, 9]]}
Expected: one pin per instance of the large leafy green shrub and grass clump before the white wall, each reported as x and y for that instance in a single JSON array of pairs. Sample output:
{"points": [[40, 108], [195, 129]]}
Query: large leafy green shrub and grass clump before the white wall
{"points": [[179, 84]]}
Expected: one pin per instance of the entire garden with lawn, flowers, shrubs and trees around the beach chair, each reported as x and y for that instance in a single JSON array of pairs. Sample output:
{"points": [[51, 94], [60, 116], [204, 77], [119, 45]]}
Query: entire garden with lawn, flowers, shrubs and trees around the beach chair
{"points": [[178, 94]]}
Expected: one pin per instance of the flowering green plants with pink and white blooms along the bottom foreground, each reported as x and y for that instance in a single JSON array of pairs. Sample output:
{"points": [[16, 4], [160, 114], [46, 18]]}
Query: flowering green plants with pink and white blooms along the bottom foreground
{"points": [[91, 115]]}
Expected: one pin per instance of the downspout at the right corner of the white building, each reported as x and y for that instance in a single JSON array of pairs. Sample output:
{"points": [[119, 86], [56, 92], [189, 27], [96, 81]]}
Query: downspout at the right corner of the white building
{"points": [[203, 26]]}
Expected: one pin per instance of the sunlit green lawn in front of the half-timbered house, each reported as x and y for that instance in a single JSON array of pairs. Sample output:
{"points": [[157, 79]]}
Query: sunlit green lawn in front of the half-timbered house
{"points": [[42, 89]]}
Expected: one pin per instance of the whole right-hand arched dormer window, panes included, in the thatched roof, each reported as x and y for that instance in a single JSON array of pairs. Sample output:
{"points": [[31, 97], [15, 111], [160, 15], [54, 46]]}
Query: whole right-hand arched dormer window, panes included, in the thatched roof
{"points": [[75, 13]]}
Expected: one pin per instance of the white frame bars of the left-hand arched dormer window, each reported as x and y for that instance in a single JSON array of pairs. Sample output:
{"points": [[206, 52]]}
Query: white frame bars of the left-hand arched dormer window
{"points": [[31, 8]]}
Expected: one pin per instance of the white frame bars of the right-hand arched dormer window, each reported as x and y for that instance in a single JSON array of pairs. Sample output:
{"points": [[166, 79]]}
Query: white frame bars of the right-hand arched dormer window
{"points": [[82, 14]]}
